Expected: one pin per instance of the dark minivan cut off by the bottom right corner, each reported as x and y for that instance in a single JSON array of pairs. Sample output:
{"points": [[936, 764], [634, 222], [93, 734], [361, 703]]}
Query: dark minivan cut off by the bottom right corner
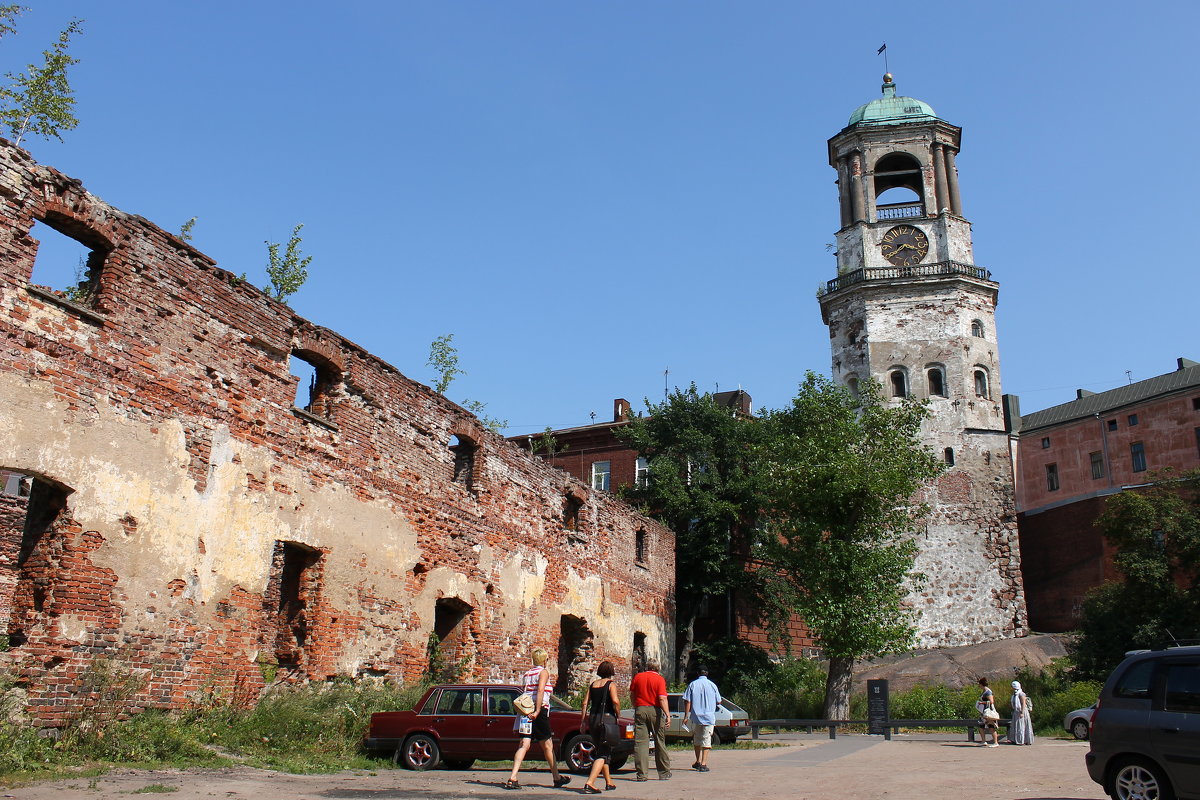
{"points": [[1145, 738]]}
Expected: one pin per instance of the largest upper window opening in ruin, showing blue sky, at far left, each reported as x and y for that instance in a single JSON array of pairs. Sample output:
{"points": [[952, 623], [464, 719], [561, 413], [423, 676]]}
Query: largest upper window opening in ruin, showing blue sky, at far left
{"points": [[67, 264]]}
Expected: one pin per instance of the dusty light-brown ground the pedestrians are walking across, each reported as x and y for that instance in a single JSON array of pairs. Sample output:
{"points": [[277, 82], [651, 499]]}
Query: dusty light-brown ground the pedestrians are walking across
{"points": [[851, 768]]}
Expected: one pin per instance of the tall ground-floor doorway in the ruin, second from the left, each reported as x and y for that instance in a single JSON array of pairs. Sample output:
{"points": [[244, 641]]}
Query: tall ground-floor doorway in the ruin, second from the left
{"points": [[292, 597]]}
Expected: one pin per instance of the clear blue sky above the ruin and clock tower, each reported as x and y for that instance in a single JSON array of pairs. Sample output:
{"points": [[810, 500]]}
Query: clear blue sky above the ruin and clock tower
{"points": [[590, 194]]}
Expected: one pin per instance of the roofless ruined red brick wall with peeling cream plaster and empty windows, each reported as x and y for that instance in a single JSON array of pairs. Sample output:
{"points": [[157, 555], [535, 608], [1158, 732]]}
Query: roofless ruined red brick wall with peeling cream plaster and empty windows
{"points": [[199, 528]]}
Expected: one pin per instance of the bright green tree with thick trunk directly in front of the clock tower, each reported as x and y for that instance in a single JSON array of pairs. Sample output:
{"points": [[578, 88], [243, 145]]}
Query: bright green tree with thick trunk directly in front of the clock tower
{"points": [[845, 473]]}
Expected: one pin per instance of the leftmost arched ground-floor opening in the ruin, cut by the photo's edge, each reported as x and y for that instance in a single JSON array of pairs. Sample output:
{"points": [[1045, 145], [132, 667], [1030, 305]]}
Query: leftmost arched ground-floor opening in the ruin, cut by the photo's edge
{"points": [[32, 512]]}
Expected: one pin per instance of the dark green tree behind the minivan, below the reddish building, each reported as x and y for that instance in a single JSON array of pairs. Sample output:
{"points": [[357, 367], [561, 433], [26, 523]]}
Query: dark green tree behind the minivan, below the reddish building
{"points": [[1156, 534]]}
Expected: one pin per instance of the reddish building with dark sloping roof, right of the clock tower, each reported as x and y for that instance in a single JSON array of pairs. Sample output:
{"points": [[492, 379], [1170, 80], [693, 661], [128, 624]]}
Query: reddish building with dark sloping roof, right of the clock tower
{"points": [[1072, 458]]}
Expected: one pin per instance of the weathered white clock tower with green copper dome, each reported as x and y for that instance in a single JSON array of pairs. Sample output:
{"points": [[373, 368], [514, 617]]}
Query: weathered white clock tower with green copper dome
{"points": [[910, 310]]}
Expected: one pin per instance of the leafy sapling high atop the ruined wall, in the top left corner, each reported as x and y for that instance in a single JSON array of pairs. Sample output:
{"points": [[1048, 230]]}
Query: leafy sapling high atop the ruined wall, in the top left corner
{"points": [[40, 101]]}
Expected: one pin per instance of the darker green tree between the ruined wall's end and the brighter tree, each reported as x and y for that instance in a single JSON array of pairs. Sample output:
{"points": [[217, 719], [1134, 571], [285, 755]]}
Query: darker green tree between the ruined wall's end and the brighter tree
{"points": [[705, 486]]}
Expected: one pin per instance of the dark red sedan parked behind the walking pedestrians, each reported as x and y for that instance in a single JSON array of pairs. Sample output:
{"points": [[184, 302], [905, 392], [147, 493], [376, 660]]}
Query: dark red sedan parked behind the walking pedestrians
{"points": [[459, 724]]}
